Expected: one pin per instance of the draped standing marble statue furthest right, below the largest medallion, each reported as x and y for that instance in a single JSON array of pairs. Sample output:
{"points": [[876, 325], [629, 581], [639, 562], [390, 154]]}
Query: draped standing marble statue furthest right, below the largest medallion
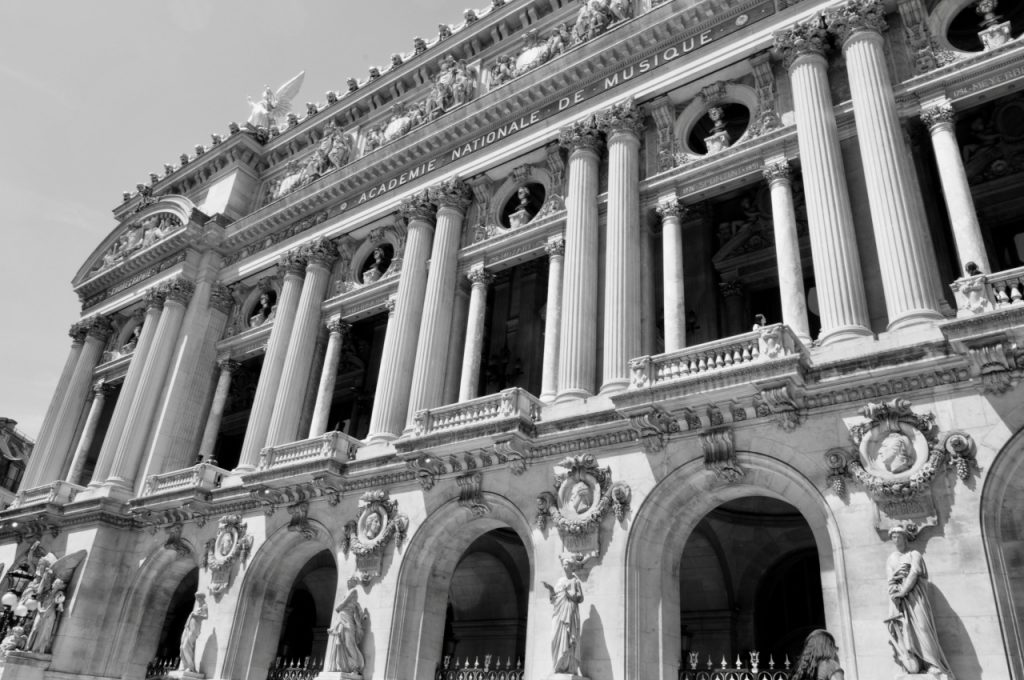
{"points": [[913, 635]]}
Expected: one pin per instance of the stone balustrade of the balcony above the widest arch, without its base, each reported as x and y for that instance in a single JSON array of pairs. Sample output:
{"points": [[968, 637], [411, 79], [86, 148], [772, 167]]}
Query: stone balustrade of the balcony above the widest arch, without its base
{"points": [[770, 344]]}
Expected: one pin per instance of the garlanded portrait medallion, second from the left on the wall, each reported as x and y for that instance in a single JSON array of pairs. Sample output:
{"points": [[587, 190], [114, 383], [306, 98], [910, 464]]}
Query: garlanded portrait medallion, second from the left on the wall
{"points": [[368, 536]]}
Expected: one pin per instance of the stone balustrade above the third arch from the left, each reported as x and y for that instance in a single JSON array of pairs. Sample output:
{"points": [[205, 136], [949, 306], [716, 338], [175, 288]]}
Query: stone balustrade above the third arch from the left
{"points": [[514, 404]]}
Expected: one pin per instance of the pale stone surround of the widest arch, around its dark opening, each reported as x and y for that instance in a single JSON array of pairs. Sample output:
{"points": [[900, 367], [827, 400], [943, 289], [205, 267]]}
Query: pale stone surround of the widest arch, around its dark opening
{"points": [[663, 525]]}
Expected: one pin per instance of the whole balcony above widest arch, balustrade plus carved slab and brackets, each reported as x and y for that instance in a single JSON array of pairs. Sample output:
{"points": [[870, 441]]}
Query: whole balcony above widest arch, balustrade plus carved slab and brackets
{"points": [[732, 370]]}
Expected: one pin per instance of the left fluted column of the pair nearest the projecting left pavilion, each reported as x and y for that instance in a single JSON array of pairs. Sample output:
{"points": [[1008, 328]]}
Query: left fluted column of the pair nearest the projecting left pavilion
{"points": [[274, 362]]}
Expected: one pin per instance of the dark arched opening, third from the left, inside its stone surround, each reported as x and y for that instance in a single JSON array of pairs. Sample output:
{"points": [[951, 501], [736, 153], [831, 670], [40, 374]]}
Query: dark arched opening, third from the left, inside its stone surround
{"points": [[487, 609]]}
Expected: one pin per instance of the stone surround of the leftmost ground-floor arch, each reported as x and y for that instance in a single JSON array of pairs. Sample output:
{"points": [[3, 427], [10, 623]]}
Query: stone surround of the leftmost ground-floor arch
{"points": [[145, 610]]}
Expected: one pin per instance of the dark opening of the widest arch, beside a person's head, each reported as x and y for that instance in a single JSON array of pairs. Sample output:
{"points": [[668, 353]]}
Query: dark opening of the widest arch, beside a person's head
{"points": [[750, 581]]}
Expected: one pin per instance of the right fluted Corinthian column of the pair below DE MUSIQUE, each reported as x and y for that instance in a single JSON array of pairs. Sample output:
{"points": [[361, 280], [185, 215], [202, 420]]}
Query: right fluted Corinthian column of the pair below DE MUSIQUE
{"points": [[622, 125]]}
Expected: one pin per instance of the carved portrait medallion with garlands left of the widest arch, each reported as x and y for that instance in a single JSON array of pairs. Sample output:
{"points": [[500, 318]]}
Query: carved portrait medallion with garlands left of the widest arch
{"points": [[584, 495]]}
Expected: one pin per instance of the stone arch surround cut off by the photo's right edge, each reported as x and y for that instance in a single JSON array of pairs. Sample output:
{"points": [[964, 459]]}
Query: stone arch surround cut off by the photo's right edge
{"points": [[1003, 537]]}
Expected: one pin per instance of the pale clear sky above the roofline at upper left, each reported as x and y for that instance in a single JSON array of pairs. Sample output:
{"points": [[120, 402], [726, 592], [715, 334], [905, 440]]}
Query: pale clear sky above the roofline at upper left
{"points": [[96, 96]]}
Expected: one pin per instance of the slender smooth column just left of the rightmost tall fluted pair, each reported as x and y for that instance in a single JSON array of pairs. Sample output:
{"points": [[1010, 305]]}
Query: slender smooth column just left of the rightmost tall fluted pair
{"points": [[791, 270]]}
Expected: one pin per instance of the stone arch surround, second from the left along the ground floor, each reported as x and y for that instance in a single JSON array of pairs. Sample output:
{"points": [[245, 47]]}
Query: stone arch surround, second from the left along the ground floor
{"points": [[263, 597]]}
